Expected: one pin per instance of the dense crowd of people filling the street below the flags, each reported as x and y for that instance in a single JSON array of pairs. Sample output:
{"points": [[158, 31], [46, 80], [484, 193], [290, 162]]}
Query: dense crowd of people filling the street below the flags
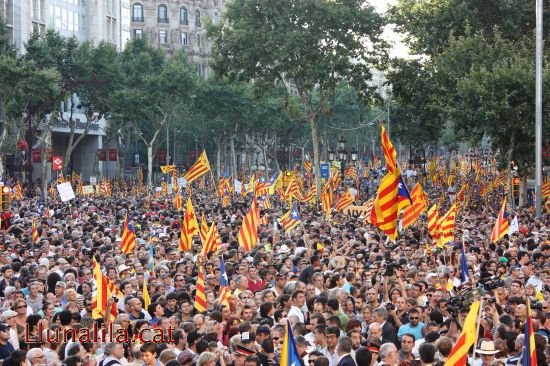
{"points": [[351, 296]]}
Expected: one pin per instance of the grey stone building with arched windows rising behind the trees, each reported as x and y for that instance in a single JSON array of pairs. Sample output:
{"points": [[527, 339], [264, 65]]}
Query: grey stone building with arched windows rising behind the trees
{"points": [[177, 24]]}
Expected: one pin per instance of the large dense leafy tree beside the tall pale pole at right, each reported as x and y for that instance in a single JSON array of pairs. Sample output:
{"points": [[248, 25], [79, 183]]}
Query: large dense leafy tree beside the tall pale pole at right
{"points": [[475, 67]]}
